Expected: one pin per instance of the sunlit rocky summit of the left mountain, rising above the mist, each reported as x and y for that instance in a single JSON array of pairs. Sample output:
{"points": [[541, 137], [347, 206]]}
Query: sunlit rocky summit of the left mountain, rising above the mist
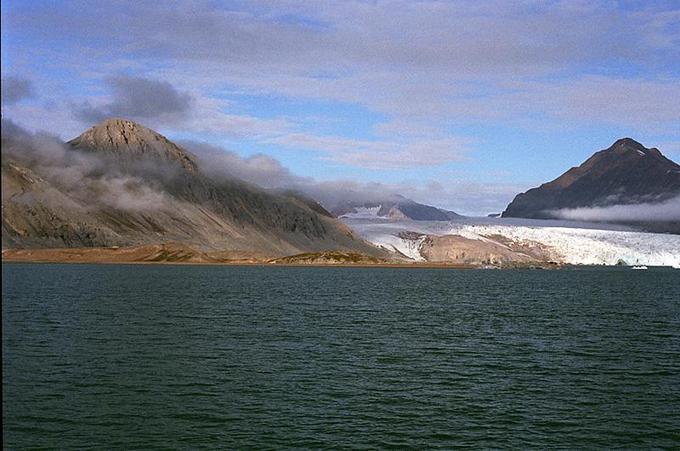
{"points": [[129, 140]]}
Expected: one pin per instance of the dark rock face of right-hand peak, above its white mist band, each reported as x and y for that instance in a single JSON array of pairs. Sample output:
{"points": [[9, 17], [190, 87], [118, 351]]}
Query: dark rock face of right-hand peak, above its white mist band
{"points": [[625, 173]]}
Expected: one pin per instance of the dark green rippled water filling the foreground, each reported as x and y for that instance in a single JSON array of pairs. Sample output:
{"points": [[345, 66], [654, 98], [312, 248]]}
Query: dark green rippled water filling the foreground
{"points": [[250, 357]]}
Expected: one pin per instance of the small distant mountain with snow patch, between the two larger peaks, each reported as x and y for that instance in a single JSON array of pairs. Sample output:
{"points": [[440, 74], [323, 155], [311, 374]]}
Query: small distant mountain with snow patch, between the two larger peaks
{"points": [[392, 207]]}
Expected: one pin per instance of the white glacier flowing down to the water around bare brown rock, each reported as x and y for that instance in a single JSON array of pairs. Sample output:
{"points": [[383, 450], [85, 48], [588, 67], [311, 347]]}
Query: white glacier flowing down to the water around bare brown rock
{"points": [[570, 242]]}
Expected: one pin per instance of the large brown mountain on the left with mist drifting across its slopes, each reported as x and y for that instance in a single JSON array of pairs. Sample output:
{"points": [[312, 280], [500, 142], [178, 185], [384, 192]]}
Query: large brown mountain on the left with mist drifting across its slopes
{"points": [[122, 184]]}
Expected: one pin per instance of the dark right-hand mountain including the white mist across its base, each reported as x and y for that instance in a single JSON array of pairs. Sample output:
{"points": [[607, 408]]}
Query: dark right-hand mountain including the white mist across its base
{"points": [[625, 183]]}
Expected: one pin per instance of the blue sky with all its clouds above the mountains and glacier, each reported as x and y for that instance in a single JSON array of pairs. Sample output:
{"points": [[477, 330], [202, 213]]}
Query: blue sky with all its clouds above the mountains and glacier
{"points": [[459, 104]]}
